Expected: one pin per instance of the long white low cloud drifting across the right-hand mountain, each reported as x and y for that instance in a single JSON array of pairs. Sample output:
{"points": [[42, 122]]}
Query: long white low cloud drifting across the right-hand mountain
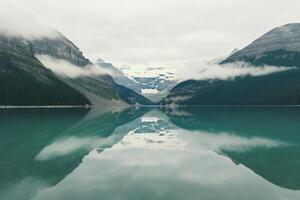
{"points": [[207, 71]]}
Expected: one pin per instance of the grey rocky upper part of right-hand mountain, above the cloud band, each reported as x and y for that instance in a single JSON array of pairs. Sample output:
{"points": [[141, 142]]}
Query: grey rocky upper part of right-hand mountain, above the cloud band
{"points": [[278, 47]]}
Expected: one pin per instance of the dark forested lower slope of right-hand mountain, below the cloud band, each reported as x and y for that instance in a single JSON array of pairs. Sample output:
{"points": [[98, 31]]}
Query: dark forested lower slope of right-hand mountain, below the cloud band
{"points": [[281, 88]]}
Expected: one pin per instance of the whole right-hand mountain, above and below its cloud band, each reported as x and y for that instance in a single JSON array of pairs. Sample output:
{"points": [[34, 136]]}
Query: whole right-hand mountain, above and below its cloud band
{"points": [[279, 47]]}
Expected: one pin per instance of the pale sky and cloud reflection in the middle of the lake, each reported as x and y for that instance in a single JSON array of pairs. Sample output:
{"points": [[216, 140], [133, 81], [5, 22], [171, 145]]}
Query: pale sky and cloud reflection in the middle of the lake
{"points": [[169, 164]]}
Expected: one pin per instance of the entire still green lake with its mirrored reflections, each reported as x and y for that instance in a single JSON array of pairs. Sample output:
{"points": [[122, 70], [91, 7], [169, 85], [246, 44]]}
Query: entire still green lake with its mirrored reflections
{"points": [[150, 153]]}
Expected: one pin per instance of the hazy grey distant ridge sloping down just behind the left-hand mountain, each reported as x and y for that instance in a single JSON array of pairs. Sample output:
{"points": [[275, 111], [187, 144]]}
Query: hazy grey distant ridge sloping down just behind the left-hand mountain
{"points": [[118, 76]]}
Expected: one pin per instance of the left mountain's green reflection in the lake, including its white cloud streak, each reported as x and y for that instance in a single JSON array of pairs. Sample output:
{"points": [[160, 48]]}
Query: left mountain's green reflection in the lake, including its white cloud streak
{"points": [[39, 147]]}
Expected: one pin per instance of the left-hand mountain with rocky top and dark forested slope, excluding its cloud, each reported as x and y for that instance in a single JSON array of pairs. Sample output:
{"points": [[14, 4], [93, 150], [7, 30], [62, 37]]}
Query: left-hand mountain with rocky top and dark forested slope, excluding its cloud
{"points": [[26, 81]]}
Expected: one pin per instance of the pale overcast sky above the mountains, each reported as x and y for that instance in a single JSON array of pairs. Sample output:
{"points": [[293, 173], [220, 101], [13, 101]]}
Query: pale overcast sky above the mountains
{"points": [[152, 32]]}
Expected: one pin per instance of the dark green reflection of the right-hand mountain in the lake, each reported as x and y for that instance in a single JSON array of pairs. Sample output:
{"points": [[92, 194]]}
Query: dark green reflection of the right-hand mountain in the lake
{"points": [[279, 124]]}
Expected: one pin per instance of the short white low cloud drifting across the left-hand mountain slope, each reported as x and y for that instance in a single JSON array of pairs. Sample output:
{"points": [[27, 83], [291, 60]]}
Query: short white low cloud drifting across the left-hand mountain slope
{"points": [[67, 69]]}
